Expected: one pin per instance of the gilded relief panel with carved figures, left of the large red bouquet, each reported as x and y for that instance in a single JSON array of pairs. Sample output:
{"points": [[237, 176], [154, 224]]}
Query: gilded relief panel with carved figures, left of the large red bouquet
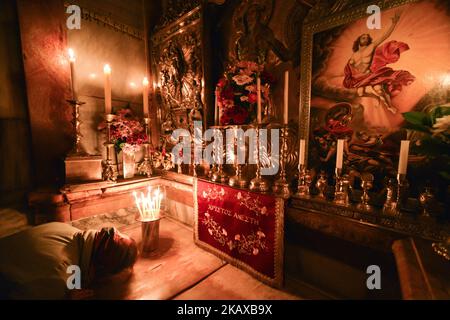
{"points": [[178, 69]]}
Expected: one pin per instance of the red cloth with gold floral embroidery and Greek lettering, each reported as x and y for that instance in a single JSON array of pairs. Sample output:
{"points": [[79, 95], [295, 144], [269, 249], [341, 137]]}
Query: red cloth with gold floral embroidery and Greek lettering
{"points": [[245, 228]]}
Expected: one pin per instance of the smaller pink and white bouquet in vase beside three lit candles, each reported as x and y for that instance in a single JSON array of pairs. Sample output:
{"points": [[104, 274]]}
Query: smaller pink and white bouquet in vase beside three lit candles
{"points": [[127, 132]]}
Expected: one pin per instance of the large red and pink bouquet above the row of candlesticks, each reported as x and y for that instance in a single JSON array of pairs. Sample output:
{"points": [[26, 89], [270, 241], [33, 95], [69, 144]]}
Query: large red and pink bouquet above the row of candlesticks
{"points": [[237, 95]]}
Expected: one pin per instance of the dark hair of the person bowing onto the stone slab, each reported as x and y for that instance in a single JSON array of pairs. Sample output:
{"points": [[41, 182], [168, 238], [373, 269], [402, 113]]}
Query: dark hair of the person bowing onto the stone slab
{"points": [[112, 253]]}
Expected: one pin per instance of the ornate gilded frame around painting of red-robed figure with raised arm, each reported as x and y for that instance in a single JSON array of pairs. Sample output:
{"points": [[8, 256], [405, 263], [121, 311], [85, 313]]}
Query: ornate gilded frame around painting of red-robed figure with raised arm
{"points": [[323, 17]]}
